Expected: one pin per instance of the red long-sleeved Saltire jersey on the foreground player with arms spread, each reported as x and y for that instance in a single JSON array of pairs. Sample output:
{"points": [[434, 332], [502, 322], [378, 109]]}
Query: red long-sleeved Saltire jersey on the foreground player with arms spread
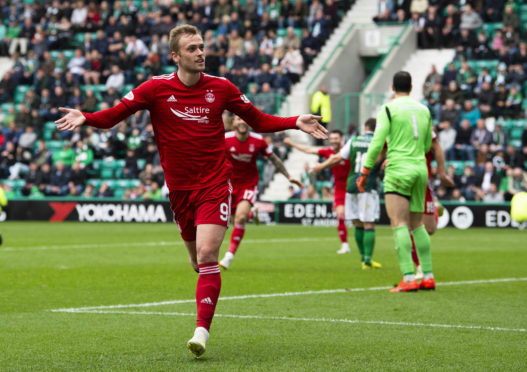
{"points": [[188, 126]]}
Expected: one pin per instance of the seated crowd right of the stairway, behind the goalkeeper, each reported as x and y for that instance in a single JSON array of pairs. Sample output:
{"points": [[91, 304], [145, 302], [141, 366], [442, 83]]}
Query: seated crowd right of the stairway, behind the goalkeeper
{"points": [[478, 102]]}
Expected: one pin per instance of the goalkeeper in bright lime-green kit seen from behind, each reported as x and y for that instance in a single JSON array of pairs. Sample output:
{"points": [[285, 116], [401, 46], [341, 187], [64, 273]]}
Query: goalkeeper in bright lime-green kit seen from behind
{"points": [[406, 127]]}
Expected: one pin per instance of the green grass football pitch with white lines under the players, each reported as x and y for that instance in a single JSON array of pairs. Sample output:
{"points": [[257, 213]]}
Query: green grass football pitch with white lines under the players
{"points": [[80, 297]]}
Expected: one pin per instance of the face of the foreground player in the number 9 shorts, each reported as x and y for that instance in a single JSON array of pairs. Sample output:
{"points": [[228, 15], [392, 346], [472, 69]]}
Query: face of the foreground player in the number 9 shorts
{"points": [[191, 56]]}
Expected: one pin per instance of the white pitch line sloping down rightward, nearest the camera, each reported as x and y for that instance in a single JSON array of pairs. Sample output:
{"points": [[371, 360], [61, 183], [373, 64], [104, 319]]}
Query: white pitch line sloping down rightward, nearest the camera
{"points": [[323, 320]]}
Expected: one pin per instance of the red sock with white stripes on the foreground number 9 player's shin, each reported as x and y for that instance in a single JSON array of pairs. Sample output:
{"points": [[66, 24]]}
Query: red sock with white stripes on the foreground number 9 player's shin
{"points": [[207, 293]]}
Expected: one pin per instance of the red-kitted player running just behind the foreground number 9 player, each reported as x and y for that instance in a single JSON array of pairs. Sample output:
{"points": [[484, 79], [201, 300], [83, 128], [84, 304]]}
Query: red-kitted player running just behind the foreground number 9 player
{"points": [[242, 148]]}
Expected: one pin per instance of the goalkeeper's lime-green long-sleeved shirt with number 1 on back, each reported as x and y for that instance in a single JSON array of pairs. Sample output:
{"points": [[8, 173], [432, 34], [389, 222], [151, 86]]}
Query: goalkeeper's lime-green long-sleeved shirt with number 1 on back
{"points": [[406, 126]]}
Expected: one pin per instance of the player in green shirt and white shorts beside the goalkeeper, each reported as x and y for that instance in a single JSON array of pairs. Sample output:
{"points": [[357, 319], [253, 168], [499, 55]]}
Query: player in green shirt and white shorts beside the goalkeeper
{"points": [[362, 208]]}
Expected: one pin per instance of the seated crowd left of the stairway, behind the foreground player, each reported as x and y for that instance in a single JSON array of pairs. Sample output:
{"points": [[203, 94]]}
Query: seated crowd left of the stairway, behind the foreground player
{"points": [[88, 54]]}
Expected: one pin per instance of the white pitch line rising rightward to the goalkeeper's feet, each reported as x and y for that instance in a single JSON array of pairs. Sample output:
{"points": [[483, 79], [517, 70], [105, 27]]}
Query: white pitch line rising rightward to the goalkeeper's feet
{"points": [[284, 294]]}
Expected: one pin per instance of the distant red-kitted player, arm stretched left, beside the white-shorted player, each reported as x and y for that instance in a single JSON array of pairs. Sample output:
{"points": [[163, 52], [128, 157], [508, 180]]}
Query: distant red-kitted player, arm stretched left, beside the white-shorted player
{"points": [[340, 176]]}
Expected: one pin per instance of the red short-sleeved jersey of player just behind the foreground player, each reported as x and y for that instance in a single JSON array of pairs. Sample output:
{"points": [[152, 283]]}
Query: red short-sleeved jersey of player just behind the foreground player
{"points": [[243, 155]]}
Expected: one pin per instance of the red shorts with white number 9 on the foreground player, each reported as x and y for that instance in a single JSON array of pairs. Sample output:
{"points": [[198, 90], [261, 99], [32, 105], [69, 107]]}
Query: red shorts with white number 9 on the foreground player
{"points": [[191, 208]]}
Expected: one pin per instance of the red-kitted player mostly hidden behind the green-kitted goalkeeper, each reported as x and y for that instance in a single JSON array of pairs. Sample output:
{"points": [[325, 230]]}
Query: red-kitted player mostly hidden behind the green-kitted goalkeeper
{"points": [[430, 214]]}
